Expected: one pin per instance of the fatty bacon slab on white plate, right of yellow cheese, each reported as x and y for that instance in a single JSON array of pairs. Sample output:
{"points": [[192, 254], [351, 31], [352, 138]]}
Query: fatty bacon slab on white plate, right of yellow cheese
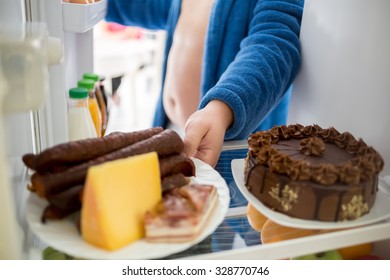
{"points": [[182, 214]]}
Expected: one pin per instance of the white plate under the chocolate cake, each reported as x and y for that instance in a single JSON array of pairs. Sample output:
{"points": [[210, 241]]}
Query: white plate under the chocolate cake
{"points": [[380, 210]]}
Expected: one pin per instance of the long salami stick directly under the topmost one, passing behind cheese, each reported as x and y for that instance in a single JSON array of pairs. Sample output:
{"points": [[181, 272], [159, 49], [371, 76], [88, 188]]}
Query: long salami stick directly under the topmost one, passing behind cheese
{"points": [[165, 143]]}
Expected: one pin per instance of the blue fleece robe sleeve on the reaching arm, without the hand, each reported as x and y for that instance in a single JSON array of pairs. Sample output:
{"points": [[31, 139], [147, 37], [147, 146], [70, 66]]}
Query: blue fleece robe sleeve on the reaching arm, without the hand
{"points": [[264, 67]]}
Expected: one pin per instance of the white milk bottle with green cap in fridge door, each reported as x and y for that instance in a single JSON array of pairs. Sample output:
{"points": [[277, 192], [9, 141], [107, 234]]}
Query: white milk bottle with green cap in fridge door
{"points": [[80, 124]]}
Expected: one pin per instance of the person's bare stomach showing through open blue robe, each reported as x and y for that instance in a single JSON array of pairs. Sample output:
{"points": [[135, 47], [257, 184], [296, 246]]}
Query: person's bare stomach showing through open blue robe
{"points": [[181, 94]]}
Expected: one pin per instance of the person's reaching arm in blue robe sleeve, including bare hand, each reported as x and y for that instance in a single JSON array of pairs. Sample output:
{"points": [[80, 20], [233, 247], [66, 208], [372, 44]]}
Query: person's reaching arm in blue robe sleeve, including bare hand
{"points": [[252, 85]]}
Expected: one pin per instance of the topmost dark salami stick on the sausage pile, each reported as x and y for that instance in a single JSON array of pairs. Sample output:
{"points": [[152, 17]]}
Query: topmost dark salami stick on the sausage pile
{"points": [[86, 149]]}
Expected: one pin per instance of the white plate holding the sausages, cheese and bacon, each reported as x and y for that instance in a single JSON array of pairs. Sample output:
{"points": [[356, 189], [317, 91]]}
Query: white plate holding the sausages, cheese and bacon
{"points": [[63, 235]]}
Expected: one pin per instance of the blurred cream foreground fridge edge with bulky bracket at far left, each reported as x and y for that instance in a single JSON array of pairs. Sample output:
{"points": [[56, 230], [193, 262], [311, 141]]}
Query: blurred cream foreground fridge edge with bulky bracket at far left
{"points": [[26, 51]]}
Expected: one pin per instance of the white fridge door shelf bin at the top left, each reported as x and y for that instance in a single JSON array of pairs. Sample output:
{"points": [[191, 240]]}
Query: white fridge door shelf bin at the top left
{"points": [[80, 18]]}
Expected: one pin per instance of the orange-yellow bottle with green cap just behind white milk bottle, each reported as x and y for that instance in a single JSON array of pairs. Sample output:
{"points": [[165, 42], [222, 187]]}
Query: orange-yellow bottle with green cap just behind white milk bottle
{"points": [[92, 104]]}
